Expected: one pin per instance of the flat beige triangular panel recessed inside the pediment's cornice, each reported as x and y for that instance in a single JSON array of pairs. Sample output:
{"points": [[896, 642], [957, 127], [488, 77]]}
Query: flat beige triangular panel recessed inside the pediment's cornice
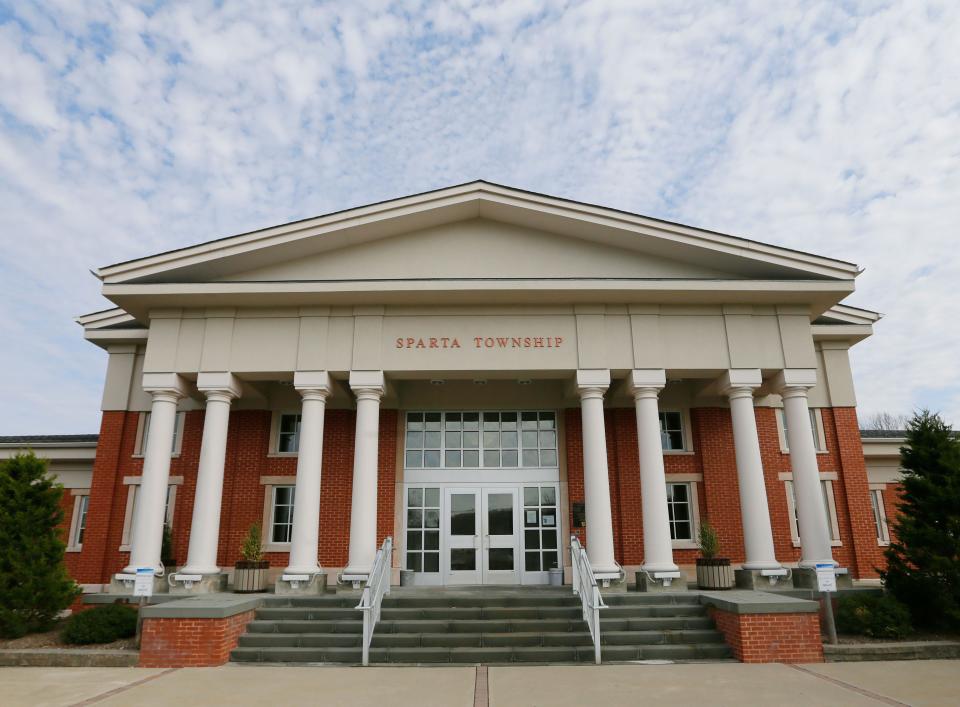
{"points": [[477, 249]]}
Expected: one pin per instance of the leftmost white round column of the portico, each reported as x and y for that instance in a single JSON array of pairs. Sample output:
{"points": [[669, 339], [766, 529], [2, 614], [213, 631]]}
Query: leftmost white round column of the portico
{"points": [[166, 389]]}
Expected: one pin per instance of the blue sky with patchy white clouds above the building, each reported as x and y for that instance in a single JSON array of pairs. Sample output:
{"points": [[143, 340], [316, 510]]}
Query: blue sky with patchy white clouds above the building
{"points": [[128, 129]]}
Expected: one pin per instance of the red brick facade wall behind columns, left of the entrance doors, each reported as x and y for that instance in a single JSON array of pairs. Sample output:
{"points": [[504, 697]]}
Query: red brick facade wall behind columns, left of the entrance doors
{"points": [[247, 459]]}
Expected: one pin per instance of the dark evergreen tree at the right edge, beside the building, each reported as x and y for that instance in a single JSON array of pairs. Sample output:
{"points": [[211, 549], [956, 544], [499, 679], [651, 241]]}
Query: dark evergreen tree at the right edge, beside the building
{"points": [[923, 563]]}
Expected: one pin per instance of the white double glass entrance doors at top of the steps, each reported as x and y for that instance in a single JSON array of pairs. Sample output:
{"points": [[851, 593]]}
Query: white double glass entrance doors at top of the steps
{"points": [[481, 530]]}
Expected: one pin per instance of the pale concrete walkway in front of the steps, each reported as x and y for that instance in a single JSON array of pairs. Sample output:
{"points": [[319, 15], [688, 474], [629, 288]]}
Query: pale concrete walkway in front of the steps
{"points": [[933, 682]]}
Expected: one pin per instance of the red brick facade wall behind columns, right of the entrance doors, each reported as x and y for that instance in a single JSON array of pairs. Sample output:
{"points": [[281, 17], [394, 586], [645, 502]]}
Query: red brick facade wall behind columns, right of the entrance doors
{"points": [[719, 500]]}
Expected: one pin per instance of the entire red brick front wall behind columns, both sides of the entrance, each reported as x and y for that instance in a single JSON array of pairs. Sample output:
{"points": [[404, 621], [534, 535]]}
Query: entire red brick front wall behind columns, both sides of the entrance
{"points": [[248, 459]]}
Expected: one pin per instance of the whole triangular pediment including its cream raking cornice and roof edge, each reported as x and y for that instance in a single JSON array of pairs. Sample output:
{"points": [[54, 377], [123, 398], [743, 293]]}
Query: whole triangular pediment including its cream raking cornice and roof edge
{"points": [[478, 230]]}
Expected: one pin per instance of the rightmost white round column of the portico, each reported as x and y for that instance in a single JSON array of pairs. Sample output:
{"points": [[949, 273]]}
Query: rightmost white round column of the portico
{"points": [[811, 516]]}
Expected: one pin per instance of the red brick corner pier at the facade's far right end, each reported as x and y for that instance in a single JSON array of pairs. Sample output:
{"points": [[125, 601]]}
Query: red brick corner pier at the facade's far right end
{"points": [[866, 554]]}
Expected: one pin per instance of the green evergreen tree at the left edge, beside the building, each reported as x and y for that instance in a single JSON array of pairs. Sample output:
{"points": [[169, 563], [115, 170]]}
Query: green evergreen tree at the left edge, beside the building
{"points": [[34, 584]]}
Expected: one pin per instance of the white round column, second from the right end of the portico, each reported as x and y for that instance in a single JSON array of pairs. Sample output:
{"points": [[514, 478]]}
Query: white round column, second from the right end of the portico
{"points": [[738, 384]]}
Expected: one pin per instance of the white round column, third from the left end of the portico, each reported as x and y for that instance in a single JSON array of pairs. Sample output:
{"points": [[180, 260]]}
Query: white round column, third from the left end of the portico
{"points": [[314, 387]]}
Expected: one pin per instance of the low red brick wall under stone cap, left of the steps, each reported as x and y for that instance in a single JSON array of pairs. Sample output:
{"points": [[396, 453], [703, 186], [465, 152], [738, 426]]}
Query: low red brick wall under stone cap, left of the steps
{"points": [[180, 643]]}
